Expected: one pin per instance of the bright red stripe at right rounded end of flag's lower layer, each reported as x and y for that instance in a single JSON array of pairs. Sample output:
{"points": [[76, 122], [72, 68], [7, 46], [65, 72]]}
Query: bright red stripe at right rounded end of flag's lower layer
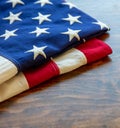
{"points": [[94, 50]]}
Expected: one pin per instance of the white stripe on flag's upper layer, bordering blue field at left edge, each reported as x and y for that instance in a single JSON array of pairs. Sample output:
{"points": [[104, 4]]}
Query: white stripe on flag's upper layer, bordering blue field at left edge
{"points": [[7, 69]]}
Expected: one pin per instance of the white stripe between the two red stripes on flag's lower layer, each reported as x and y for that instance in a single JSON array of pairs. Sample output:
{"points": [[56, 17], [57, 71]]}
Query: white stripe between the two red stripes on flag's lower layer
{"points": [[70, 60]]}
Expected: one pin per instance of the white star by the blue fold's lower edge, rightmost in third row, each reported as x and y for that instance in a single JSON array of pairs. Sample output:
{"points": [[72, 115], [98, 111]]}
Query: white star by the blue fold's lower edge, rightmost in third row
{"points": [[72, 34]]}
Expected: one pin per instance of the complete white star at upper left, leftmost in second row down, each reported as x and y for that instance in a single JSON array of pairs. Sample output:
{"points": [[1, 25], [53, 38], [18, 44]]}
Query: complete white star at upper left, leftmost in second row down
{"points": [[13, 17]]}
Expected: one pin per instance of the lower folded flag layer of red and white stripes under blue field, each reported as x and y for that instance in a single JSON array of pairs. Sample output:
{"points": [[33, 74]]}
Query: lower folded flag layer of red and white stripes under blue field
{"points": [[88, 52]]}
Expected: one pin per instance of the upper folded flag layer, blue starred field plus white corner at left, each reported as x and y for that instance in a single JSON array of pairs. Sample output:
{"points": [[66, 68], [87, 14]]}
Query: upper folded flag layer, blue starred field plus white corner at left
{"points": [[31, 32]]}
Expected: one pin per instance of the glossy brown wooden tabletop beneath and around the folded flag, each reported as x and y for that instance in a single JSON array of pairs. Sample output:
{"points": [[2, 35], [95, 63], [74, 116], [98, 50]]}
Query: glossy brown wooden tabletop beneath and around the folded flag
{"points": [[88, 97]]}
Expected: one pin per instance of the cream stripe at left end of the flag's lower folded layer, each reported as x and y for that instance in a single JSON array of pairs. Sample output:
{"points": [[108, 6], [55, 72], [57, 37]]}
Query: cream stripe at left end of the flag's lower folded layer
{"points": [[13, 87]]}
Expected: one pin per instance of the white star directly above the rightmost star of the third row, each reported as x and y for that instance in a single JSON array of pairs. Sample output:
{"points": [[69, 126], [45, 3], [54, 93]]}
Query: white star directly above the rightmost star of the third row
{"points": [[72, 19]]}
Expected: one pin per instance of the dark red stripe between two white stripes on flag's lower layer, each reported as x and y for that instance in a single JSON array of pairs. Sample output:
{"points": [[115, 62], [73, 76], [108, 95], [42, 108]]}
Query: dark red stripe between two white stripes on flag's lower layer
{"points": [[39, 75]]}
